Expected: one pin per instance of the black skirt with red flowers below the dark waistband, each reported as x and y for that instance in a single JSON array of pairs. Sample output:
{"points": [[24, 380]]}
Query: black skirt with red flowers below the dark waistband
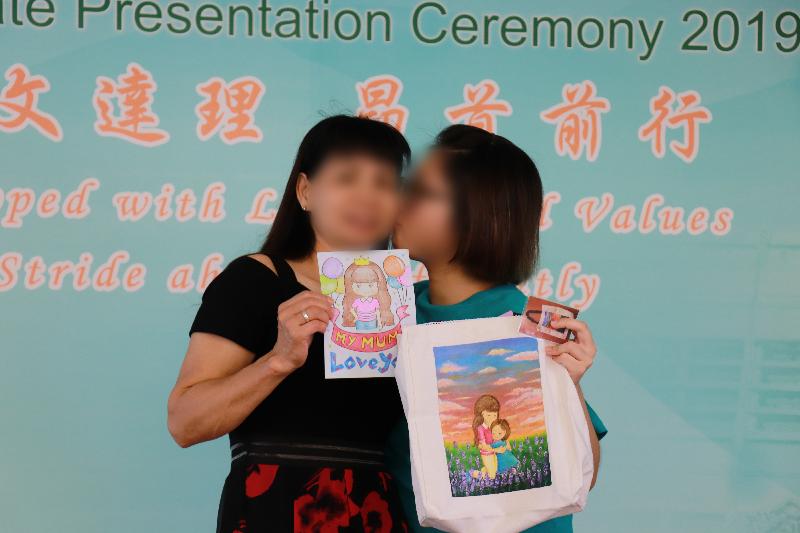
{"points": [[260, 497]]}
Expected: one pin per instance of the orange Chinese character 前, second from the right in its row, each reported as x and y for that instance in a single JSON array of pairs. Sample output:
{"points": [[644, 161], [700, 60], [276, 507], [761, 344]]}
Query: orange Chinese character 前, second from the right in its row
{"points": [[577, 120]]}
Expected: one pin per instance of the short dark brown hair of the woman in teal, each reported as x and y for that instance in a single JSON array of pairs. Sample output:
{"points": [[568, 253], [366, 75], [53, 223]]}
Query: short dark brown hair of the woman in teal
{"points": [[498, 203]]}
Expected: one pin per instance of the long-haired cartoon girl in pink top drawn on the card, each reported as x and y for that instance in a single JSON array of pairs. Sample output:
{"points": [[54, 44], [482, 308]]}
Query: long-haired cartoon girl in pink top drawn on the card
{"points": [[367, 303]]}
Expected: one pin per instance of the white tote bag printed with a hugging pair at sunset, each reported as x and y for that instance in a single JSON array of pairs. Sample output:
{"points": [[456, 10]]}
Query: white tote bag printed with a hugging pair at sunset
{"points": [[498, 438]]}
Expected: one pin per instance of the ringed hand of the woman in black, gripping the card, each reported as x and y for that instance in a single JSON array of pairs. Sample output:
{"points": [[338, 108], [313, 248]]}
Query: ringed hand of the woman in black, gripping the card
{"points": [[295, 333]]}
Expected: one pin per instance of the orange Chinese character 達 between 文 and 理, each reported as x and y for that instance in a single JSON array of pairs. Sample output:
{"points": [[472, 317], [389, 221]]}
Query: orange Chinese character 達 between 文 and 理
{"points": [[133, 94]]}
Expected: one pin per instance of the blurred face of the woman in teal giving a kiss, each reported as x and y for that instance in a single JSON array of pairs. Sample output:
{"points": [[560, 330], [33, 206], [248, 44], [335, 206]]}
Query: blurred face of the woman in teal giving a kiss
{"points": [[425, 225]]}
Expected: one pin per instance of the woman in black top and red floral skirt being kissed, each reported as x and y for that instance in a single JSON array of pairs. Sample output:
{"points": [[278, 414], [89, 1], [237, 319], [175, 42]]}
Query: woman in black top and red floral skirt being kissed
{"points": [[306, 452]]}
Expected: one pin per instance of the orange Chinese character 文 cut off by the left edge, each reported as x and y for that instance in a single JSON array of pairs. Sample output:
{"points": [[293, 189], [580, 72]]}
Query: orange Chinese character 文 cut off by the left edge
{"points": [[19, 103]]}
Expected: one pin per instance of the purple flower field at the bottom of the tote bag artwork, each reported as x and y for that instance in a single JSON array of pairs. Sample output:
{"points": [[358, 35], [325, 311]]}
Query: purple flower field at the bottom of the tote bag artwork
{"points": [[532, 471]]}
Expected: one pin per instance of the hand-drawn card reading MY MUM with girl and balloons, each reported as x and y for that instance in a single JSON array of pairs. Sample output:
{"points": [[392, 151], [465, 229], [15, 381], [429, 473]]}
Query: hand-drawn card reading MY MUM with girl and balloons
{"points": [[373, 297]]}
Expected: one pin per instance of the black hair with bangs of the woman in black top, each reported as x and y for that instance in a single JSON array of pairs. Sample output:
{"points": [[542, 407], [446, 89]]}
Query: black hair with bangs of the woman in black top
{"points": [[291, 235]]}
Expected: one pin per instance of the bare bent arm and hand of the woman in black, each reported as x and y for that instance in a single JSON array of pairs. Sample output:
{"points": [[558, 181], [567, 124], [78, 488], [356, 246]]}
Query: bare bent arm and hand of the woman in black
{"points": [[220, 384]]}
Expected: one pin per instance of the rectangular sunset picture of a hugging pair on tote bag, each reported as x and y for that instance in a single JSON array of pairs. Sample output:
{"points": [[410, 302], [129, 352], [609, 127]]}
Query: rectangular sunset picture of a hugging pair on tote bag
{"points": [[492, 416]]}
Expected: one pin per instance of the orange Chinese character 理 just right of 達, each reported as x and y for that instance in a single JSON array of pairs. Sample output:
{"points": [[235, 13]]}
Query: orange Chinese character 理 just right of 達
{"points": [[228, 108]]}
